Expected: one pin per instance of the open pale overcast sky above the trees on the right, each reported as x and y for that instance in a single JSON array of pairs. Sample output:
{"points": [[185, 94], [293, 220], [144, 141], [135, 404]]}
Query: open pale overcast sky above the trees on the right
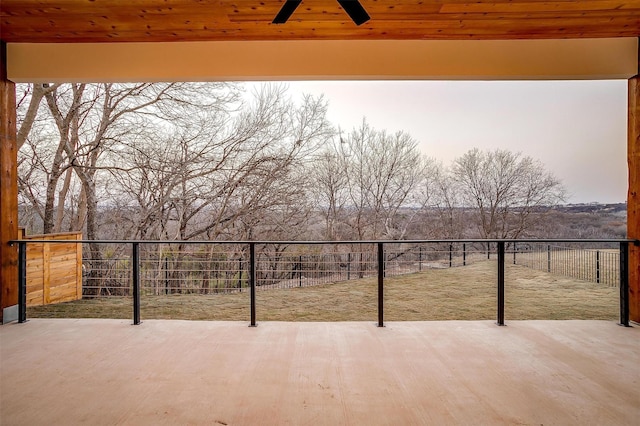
{"points": [[576, 128]]}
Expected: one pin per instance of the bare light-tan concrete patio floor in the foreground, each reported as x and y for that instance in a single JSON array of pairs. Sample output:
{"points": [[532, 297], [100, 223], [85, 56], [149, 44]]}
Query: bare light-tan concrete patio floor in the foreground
{"points": [[105, 372]]}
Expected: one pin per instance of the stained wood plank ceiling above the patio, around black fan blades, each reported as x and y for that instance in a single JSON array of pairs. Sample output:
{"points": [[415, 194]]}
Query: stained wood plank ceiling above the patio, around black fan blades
{"points": [[78, 21]]}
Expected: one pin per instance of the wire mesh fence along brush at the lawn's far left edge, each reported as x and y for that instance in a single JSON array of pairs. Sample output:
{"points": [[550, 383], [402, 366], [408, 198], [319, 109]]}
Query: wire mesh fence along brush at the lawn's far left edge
{"points": [[213, 268]]}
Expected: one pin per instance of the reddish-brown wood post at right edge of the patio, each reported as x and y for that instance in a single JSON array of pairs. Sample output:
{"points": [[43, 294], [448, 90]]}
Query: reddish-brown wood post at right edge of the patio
{"points": [[633, 197]]}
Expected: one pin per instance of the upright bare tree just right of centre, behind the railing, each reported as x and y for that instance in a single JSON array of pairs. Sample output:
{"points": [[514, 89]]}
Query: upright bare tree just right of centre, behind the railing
{"points": [[365, 186]]}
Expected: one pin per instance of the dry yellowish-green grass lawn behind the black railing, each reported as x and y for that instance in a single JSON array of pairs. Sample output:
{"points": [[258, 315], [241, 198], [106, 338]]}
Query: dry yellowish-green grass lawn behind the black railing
{"points": [[461, 293]]}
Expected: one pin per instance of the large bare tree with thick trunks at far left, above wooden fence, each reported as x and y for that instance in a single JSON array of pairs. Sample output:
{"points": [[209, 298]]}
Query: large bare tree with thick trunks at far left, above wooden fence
{"points": [[89, 119]]}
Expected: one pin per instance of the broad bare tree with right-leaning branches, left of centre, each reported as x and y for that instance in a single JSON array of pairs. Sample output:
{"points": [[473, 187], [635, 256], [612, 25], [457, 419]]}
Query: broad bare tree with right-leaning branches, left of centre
{"points": [[223, 173]]}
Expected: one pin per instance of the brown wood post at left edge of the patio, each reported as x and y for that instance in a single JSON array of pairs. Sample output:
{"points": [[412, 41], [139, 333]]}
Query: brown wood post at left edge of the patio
{"points": [[8, 194]]}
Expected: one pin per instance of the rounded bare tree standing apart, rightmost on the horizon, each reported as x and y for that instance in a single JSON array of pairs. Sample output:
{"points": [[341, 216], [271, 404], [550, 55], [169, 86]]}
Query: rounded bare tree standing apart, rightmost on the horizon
{"points": [[505, 189]]}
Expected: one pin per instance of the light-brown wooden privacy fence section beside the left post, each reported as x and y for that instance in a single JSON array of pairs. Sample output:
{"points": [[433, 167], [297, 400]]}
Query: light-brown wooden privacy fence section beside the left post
{"points": [[54, 270]]}
